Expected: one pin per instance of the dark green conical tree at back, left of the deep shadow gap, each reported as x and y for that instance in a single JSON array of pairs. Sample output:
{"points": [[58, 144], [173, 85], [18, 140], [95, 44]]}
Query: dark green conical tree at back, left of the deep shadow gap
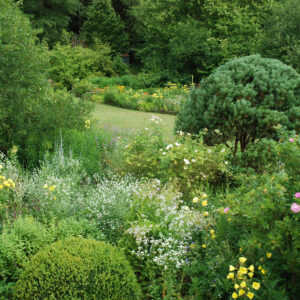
{"points": [[105, 25]]}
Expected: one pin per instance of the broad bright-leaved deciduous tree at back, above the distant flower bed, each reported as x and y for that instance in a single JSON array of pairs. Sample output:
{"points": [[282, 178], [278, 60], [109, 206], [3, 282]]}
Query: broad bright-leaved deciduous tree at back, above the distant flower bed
{"points": [[193, 37]]}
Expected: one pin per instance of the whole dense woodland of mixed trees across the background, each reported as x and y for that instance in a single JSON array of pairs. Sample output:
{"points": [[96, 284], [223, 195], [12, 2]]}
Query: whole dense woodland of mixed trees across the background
{"points": [[174, 38]]}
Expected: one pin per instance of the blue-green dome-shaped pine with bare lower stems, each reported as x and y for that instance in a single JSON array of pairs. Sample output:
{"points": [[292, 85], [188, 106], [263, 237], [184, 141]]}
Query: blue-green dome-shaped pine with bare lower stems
{"points": [[242, 101]]}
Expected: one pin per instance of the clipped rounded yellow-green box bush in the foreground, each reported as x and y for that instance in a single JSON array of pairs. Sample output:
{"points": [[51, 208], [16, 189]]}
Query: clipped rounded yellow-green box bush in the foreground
{"points": [[78, 268]]}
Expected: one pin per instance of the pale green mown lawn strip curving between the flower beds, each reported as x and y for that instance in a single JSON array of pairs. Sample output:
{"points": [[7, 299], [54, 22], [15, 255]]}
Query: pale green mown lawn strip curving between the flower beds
{"points": [[126, 119]]}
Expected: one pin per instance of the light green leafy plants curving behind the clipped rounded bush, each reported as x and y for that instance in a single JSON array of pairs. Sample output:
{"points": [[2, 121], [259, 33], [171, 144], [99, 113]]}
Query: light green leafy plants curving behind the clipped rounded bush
{"points": [[24, 237]]}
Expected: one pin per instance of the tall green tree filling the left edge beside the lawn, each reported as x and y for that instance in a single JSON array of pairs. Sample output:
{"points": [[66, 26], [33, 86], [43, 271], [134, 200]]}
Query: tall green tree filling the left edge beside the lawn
{"points": [[30, 112]]}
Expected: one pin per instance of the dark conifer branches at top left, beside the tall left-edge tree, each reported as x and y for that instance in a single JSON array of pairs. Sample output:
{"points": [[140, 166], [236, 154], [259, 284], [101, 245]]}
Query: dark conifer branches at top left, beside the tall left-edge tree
{"points": [[52, 17]]}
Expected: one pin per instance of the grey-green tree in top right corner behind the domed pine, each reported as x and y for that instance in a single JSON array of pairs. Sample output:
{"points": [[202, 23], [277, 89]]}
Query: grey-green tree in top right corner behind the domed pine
{"points": [[281, 34]]}
